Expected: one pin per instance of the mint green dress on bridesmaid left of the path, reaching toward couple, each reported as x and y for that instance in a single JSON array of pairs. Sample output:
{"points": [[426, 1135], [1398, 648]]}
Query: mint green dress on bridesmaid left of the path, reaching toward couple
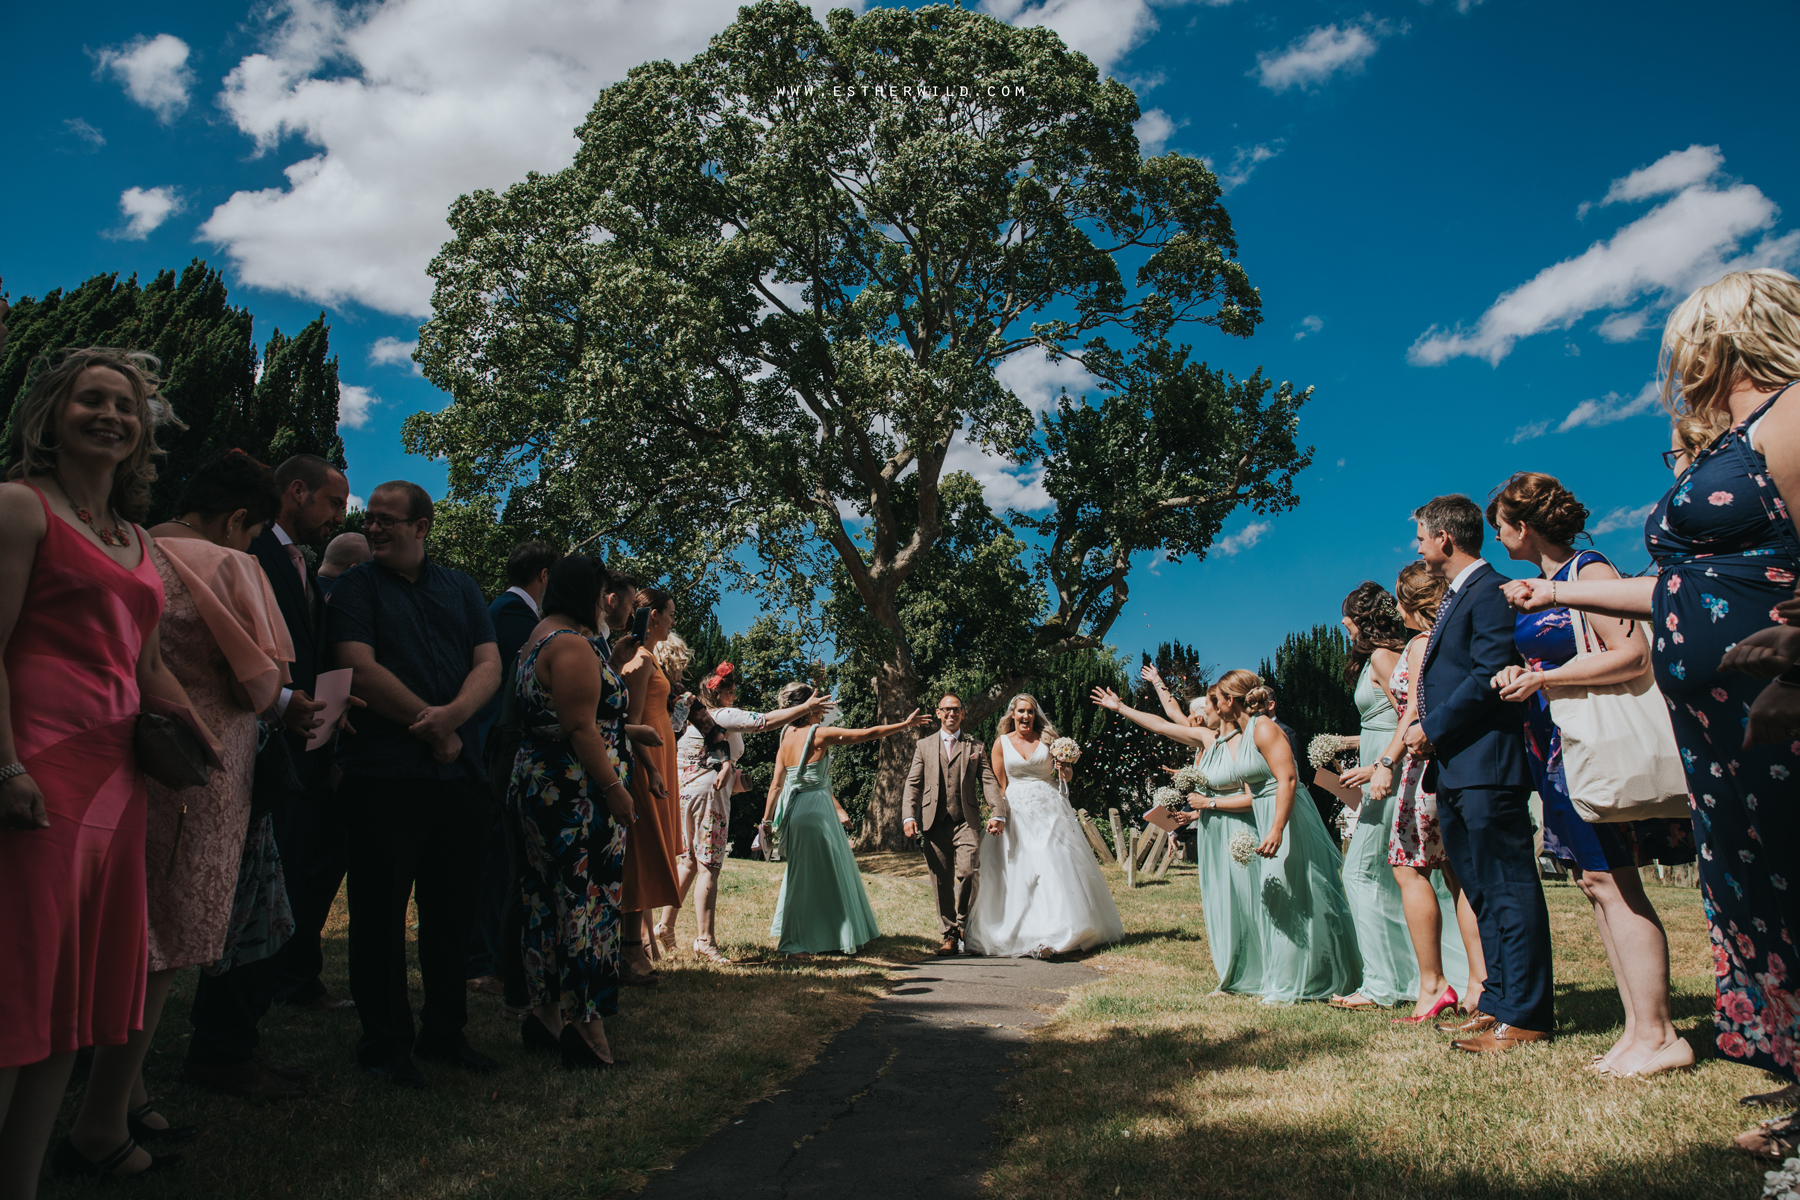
{"points": [[823, 906]]}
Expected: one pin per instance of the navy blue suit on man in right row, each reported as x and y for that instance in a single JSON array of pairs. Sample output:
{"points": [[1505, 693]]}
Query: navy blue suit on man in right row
{"points": [[1484, 784]]}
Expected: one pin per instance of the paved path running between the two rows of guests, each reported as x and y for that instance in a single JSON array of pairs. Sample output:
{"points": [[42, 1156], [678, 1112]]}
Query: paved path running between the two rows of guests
{"points": [[897, 1107]]}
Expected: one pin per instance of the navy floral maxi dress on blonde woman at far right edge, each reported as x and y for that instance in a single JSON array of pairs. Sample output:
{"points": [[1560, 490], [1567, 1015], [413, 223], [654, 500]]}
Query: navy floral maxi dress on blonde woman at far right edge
{"points": [[1727, 555]]}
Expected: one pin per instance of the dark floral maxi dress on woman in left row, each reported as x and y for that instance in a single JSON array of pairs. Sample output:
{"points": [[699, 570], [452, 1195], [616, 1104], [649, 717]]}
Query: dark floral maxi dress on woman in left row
{"points": [[575, 850]]}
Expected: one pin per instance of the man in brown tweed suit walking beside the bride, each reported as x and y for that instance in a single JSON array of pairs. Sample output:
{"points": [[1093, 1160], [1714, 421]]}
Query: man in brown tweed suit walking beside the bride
{"points": [[942, 801]]}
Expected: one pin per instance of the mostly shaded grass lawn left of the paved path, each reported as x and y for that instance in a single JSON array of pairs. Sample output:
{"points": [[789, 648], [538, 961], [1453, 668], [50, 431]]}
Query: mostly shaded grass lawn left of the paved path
{"points": [[701, 1046]]}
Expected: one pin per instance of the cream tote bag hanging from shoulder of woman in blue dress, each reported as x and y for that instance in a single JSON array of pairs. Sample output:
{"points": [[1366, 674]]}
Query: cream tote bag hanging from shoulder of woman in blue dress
{"points": [[1619, 748]]}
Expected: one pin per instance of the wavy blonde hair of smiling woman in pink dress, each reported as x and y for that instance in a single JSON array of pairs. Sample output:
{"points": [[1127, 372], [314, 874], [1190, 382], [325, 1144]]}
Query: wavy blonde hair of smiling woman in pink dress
{"points": [[51, 384]]}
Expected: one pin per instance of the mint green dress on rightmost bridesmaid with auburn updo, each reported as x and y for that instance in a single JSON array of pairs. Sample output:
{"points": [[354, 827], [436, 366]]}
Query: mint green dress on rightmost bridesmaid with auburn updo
{"points": [[1390, 967]]}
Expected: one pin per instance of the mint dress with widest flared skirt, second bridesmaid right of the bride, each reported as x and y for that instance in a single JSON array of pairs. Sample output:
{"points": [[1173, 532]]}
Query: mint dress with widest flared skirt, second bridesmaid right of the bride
{"points": [[1304, 920]]}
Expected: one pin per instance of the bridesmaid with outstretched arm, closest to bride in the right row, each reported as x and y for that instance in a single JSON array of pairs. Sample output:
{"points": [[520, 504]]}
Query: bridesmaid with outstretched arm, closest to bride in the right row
{"points": [[1228, 891]]}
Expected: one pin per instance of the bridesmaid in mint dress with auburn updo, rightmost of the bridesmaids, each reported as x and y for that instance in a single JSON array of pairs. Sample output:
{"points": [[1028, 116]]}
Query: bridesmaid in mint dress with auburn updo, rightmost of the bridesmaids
{"points": [[1390, 969]]}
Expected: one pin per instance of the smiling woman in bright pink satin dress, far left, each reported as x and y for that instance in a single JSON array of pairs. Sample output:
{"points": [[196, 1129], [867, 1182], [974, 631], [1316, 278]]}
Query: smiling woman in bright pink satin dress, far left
{"points": [[80, 600]]}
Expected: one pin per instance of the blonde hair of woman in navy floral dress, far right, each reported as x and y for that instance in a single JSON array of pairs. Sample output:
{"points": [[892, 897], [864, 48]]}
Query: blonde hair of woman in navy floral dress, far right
{"points": [[1740, 328]]}
